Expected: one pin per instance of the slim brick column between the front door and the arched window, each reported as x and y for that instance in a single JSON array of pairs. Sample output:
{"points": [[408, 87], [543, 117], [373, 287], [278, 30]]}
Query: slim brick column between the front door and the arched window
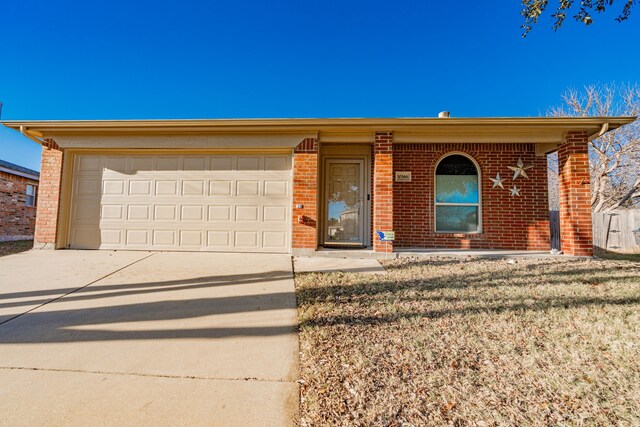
{"points": [[382, 189]]}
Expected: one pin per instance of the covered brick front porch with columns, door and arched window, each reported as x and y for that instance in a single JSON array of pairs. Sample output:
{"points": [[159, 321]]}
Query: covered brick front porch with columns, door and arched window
{"points": [[490, 220]]}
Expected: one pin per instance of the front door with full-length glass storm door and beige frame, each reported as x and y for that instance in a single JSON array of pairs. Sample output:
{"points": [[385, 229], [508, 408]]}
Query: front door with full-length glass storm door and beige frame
{"points": [[344, 204]]}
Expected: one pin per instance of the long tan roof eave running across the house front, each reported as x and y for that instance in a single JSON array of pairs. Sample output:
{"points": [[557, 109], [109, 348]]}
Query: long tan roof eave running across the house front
{"points": [[51, 128]]}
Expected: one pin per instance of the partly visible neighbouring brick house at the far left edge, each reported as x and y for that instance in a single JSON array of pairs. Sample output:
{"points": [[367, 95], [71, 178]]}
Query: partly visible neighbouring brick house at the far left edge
{"points": [[18, 196]]}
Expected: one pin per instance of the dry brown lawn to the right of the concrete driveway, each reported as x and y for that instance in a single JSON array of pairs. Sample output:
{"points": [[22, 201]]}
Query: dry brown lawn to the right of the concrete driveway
{"points": [[472, 342]]}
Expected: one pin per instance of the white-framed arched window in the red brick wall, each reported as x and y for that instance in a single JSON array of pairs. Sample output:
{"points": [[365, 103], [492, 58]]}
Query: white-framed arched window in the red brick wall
{"points": [[457, 195]]}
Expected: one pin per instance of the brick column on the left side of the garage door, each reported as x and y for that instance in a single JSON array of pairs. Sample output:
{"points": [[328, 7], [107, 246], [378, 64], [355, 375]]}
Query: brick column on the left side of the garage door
{"points": [[48, 210]]}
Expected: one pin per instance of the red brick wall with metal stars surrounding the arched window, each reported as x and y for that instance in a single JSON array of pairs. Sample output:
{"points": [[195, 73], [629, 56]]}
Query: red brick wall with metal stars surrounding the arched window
{"points": [[507, 222]]}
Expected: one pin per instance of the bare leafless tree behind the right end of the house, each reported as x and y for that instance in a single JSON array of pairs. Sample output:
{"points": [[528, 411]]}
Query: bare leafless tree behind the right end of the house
{"points": [[614, 158]]}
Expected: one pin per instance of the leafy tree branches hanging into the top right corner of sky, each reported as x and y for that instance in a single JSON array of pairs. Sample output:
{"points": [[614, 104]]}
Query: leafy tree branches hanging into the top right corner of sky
{"points": [[533, 9]]}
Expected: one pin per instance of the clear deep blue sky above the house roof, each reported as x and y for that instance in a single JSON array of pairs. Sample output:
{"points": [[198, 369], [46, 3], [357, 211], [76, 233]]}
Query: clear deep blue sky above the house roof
{"points": [[298, 58]]}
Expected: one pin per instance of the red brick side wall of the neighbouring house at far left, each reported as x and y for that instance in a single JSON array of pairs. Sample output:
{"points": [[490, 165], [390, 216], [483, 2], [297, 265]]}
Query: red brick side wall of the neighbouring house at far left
{"points": [[16, 218]]}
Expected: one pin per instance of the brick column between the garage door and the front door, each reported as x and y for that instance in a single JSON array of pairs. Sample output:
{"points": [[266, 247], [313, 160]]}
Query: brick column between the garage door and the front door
{"points": [[305, 193]]}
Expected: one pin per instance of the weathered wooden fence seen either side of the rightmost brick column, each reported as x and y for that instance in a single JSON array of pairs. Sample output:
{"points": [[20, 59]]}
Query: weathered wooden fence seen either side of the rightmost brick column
{"points": [[617, 231]]}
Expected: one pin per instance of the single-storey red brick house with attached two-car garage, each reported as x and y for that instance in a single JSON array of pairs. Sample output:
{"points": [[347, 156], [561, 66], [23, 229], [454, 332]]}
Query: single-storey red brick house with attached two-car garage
{"points": [[272, 185]]}
